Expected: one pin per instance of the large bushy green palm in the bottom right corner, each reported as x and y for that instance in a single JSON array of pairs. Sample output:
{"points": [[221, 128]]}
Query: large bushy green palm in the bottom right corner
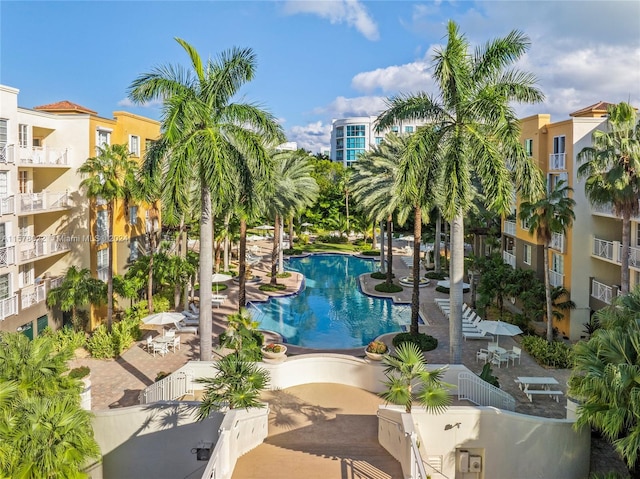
{"points": [[606, 378]]}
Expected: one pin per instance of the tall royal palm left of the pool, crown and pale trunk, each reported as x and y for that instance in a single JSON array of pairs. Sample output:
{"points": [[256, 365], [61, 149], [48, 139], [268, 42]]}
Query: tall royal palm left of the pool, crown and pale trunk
{"points": [[206, 134]]}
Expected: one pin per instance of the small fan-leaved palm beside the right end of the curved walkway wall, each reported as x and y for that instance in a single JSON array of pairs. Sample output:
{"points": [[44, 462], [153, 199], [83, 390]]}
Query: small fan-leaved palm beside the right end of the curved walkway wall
{"points": [[409, 380]]}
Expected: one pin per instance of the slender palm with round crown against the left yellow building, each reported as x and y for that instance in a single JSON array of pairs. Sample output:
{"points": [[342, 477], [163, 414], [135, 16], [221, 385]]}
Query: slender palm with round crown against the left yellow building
{"points": [[110, 176]]}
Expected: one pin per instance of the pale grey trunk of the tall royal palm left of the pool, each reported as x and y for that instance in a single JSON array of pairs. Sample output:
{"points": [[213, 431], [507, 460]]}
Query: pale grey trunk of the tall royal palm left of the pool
{"points": [[206, 269]]}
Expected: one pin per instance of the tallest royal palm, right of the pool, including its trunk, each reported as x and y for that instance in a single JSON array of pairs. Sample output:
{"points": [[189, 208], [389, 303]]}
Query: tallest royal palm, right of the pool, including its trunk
{"points": [[477, 135]]}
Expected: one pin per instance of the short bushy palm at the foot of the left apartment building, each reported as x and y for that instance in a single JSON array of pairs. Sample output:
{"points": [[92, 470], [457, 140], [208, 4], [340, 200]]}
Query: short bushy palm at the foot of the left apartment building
{"points": [[77, 289]]}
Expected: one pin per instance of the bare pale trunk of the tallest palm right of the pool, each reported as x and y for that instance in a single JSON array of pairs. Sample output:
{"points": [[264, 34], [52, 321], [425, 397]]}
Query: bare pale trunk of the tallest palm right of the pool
{"points": [[456, 273]]}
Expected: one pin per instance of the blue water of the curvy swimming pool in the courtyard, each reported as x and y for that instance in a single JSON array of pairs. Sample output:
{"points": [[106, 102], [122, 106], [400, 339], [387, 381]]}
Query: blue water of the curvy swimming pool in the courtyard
{"points": [[331, 312]]}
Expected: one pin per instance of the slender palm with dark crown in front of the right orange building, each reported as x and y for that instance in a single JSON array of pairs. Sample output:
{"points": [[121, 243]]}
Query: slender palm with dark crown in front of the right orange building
{"points": [[552, 213]]}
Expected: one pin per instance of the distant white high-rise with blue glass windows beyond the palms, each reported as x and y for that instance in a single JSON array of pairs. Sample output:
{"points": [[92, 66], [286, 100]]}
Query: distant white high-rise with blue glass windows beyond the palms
{"points": [[351, 137]]}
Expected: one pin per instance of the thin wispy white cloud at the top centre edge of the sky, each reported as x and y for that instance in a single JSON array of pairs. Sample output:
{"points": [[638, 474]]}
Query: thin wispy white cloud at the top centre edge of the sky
{"points": [[351, 12]]}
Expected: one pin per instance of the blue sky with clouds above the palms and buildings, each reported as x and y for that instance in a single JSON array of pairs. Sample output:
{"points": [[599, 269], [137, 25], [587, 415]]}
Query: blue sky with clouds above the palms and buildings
{"points": [[317, 60]]}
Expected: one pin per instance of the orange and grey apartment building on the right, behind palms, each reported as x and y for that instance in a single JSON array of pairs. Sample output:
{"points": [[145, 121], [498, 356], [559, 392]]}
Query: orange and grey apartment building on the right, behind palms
{"points": [[583, 260]]}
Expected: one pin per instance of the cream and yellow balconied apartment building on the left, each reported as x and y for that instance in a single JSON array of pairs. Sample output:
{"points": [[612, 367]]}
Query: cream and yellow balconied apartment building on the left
{"points": [[46, 222]]}
